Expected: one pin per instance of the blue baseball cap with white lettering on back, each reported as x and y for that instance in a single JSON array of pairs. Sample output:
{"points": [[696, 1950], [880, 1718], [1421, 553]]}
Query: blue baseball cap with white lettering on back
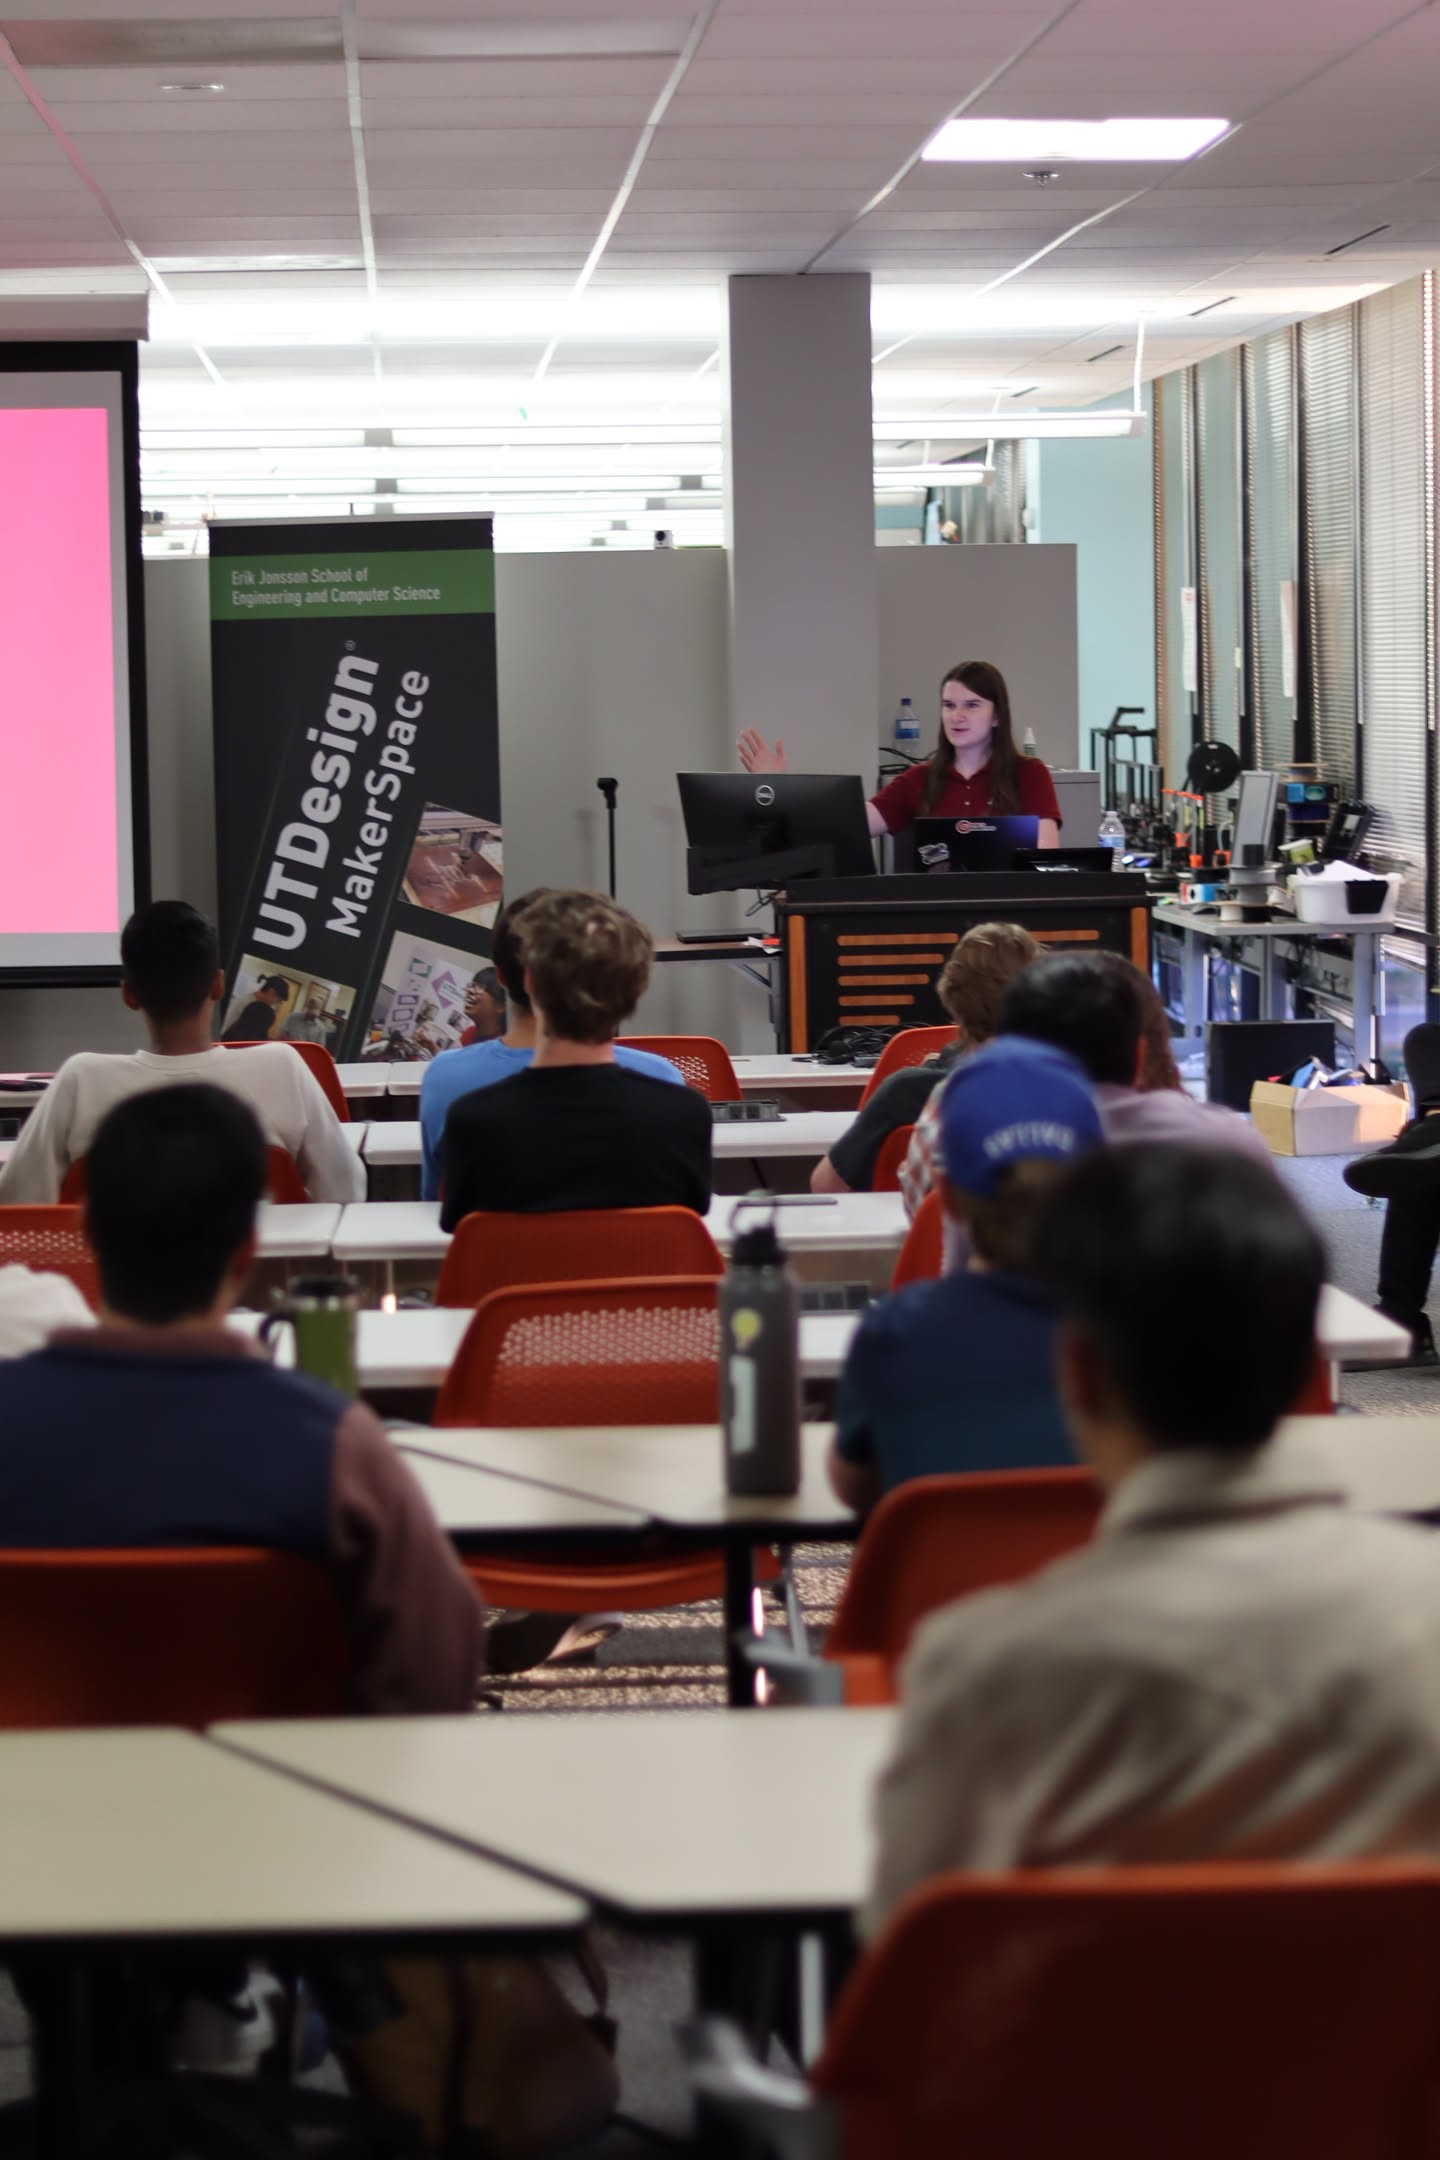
{"points": [[1014, 1103]]}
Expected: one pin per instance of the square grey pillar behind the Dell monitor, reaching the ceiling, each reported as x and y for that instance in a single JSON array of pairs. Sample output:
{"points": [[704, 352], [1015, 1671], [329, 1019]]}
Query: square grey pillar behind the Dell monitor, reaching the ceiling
{"points": [[800, 498]]}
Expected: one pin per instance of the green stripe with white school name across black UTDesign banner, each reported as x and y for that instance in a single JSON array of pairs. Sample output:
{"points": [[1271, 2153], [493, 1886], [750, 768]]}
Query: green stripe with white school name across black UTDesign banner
{"points": [[353, 584]]}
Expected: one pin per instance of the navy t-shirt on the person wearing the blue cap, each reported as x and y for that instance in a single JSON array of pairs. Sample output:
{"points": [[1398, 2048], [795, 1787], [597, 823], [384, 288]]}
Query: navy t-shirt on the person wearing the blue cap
{"points": [[953, 1375]]}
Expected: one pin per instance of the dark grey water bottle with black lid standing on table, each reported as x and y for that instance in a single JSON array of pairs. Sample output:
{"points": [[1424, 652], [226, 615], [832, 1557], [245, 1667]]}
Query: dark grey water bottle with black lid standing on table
{"points": [[761, 1366]]}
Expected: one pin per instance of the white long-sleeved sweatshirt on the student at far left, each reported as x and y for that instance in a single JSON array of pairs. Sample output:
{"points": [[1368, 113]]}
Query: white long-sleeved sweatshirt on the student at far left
{"points": [[273, 1079]]}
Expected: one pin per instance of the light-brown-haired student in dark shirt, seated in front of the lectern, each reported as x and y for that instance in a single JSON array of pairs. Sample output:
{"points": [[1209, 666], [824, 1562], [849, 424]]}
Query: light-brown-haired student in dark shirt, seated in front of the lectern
{"points": [[970, 988]]}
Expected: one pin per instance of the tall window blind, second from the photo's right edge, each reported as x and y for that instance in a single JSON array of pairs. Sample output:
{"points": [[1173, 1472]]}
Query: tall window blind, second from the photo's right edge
{"points": [[1331, 537]]}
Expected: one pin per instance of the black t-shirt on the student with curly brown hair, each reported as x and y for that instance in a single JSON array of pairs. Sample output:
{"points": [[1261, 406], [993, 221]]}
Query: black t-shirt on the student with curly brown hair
{"points": [[578, 1137]]}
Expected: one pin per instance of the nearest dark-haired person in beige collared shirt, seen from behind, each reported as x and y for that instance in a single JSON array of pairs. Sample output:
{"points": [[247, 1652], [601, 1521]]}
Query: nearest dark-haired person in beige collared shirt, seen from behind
{"points": [[1236, 1666]]}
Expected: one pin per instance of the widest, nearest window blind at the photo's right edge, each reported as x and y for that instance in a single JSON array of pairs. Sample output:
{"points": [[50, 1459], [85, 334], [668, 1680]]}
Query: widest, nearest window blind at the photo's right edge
{"points": [[1394, 602]]}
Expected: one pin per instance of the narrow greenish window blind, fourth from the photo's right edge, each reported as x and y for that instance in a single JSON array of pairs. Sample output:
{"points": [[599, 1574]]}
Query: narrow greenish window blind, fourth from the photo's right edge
{"points": [[1219, 541]]}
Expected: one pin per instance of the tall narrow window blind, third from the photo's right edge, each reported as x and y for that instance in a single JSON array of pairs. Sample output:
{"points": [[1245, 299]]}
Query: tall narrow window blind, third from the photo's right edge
{"points": [[1271, 487]]}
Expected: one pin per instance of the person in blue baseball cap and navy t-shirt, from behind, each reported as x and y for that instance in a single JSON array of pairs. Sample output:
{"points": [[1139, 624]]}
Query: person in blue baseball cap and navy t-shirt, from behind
{"points": [[957, 1375]]}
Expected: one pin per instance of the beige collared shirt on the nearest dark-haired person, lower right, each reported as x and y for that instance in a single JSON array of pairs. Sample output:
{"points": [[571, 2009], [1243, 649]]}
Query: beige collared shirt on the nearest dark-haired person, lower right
{"points": [[1234, 1669]]}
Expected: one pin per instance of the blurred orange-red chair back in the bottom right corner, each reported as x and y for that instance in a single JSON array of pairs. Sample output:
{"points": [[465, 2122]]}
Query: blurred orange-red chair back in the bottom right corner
{"points": [[1128, 2014]]}
